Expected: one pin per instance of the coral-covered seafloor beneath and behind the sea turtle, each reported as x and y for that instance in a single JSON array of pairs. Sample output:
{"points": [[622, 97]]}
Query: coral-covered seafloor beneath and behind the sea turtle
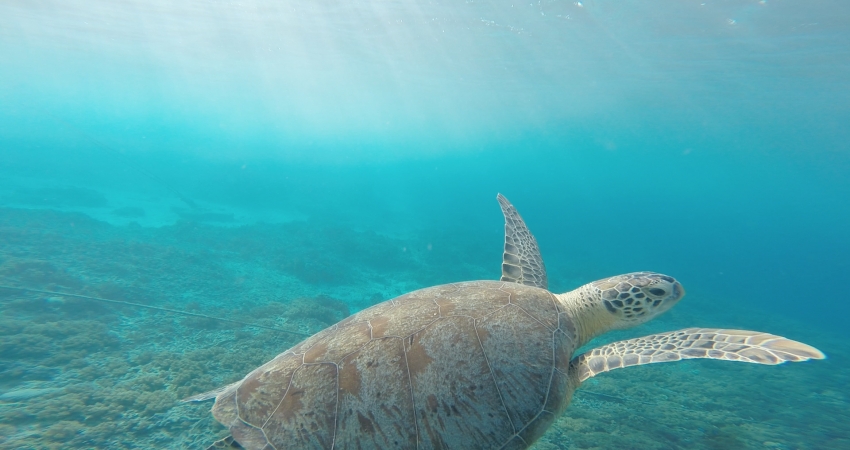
{"points": [[77, 373]]}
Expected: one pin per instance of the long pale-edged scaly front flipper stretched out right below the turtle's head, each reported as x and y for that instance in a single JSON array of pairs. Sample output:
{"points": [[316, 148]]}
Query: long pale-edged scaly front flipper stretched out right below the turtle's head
{"points": [[711, 343]]}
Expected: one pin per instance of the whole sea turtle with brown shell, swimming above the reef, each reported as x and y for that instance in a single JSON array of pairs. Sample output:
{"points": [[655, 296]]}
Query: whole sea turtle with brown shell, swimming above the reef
{"points": [[471, 365]]}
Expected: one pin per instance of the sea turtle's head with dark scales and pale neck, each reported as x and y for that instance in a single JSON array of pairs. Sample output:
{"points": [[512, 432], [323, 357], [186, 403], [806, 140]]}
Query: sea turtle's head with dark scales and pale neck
{"points": [[635, 298]]}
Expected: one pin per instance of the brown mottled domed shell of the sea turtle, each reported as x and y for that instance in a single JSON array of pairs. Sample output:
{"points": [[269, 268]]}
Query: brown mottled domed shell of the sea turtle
{"points": [[468, 365]]}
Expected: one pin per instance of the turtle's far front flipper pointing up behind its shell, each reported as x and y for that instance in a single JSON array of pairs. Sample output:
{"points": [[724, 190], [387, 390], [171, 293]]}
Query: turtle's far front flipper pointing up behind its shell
{"points": [[521, 262]]}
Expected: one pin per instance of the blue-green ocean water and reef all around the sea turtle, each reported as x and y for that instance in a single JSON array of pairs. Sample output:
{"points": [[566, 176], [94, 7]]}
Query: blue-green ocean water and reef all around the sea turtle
{"points": [[285, 164]]}
